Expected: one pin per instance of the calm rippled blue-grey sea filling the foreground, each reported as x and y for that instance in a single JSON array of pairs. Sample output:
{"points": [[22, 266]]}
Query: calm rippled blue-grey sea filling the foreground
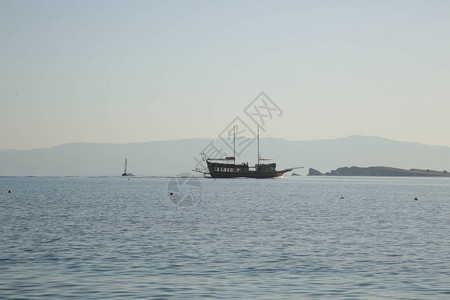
{"points": [[295, 237]]}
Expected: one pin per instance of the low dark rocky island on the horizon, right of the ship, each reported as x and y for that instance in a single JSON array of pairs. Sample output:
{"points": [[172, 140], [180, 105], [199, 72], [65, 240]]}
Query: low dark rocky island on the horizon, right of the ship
{"points": [[379, 171]]}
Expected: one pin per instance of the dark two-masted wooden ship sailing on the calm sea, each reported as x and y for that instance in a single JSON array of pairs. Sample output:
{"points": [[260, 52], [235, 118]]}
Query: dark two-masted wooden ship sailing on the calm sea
{"points": [[217, 168]]}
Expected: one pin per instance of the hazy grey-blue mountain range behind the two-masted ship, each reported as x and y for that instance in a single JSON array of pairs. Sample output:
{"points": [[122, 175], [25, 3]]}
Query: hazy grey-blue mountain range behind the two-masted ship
{"points": [[174, 157]]}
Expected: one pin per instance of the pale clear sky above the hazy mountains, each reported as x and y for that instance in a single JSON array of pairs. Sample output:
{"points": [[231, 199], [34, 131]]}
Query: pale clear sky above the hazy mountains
{"points": [[138, 71]]}
